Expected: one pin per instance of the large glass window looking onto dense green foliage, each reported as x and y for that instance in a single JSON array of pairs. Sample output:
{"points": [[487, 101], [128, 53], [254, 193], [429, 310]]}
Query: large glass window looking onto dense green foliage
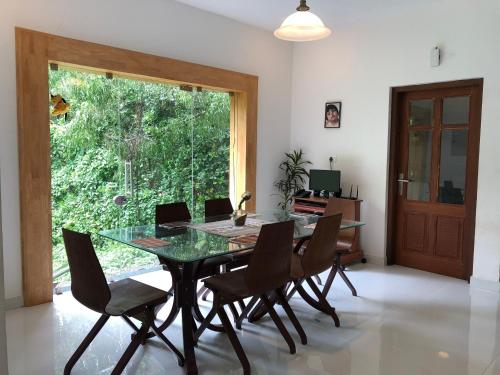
{"points": [[126, 145]]}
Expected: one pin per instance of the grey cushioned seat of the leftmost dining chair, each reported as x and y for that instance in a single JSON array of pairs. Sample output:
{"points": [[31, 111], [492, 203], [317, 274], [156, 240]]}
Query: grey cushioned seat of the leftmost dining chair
{"points": [[129, 295]]}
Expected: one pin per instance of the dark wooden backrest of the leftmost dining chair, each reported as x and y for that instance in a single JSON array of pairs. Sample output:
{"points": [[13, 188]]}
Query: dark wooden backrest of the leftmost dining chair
{"points": [[88, 283]]}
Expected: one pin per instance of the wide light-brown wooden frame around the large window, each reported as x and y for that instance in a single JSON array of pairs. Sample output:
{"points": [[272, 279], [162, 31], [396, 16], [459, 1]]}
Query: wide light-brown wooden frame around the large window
{"points": [[34, 52]]}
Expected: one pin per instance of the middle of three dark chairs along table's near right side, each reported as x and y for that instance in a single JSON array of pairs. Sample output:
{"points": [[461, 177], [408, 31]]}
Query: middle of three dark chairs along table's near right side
{"points": [[315, 258]]}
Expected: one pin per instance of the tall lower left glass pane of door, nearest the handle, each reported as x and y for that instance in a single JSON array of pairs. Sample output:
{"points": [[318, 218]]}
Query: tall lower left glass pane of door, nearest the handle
{"points": [[419, 165]]}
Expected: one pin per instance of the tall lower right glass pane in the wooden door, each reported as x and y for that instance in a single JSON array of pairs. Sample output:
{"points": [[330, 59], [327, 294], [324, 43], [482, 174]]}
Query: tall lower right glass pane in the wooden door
{"points": [[453, 166]]}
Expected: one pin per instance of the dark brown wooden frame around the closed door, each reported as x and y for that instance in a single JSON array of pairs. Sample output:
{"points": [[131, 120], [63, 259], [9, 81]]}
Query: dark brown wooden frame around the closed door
{"points": [[397, 93]]}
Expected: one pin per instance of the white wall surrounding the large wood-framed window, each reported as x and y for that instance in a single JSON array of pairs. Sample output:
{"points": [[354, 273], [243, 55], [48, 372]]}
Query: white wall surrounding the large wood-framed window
{"points": [[160, 27]]}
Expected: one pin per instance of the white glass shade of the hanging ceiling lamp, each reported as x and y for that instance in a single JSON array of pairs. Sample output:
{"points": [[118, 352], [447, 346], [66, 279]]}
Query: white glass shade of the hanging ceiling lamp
{"points": [[302, 27]]}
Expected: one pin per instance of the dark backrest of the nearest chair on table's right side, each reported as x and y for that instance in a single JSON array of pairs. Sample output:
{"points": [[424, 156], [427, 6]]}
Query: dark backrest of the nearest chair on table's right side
{"points": [[269, 265]]}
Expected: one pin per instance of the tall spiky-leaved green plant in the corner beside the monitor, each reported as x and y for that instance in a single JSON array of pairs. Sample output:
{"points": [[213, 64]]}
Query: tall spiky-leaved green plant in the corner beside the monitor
{"points": [[294, 173]]}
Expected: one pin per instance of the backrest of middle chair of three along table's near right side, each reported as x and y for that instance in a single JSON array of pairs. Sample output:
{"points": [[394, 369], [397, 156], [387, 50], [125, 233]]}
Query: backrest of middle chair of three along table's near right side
{"points": [[320, 251]]}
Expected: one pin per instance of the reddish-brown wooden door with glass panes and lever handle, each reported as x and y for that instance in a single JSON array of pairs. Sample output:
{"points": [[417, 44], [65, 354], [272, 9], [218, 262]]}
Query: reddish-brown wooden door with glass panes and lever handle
{"points": [[436, 179]]}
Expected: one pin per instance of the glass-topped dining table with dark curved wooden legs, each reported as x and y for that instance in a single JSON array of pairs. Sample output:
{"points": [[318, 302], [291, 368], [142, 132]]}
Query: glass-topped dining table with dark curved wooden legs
{"points": [[184, 250]]}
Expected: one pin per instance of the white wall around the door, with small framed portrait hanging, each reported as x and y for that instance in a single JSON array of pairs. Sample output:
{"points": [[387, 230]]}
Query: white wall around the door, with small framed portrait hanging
{"points": [[359, 64]]}
